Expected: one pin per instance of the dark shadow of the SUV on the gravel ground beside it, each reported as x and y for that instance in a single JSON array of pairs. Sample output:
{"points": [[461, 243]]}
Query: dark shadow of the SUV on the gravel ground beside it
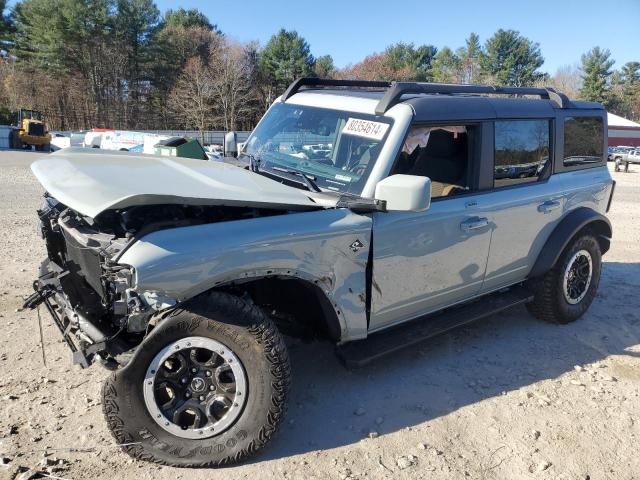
{"points": [[500, 354]]}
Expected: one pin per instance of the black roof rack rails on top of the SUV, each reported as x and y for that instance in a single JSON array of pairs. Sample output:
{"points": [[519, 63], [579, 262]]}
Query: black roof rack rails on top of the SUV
{"points": [[395, 90]]}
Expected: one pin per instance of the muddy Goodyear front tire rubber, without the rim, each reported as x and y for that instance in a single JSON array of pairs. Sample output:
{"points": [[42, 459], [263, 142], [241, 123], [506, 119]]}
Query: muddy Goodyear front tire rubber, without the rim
{"points": [[254, 339]]}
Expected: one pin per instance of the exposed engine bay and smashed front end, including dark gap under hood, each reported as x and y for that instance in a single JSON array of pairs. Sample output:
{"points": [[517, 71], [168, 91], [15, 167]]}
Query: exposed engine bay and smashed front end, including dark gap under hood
{"points": [[91, 297]]}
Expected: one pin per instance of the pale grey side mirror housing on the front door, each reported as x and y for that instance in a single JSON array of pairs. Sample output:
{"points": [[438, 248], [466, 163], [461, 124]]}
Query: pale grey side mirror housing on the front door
{"points": [[407, 193]]}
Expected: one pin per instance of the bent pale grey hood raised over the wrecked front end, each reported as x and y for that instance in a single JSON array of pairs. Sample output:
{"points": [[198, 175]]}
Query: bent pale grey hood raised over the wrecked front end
{"points": [[91, 182]]}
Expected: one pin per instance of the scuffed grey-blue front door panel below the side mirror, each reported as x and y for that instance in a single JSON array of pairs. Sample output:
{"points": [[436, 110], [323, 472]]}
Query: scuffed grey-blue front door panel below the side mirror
{"points": [[423, 261]]}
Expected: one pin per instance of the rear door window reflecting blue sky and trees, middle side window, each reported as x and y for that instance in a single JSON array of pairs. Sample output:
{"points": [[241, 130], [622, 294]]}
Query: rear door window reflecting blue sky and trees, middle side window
{"points": [[521, 151]]}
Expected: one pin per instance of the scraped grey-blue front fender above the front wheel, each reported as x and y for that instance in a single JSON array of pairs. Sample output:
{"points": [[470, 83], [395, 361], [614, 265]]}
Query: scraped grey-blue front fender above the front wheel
{"points": [[318, 246]]}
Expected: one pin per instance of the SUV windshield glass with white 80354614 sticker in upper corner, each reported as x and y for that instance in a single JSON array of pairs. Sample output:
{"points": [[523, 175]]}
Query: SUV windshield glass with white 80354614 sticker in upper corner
{"points": [[336, 149]]}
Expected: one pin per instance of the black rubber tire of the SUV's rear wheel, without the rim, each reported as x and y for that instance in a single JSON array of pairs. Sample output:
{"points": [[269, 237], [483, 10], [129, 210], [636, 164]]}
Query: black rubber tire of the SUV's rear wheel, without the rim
{"points": [[549, 302]]}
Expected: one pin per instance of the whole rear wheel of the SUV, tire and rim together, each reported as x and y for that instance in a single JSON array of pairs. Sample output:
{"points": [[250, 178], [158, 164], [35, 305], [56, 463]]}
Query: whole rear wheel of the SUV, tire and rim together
{"points": [[566, 291]]}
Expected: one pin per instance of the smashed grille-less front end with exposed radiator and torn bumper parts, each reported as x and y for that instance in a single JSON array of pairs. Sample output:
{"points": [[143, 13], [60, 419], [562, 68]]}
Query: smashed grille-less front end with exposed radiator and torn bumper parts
{"points": [[87, 293]]}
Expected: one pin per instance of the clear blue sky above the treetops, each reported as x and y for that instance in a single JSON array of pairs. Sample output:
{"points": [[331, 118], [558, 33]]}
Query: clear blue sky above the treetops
{"points": [[349, 30]]}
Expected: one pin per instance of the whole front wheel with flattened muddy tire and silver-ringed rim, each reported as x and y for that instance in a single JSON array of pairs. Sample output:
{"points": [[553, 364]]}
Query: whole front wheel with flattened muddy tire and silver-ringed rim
{"points": [[207, 387]]}
